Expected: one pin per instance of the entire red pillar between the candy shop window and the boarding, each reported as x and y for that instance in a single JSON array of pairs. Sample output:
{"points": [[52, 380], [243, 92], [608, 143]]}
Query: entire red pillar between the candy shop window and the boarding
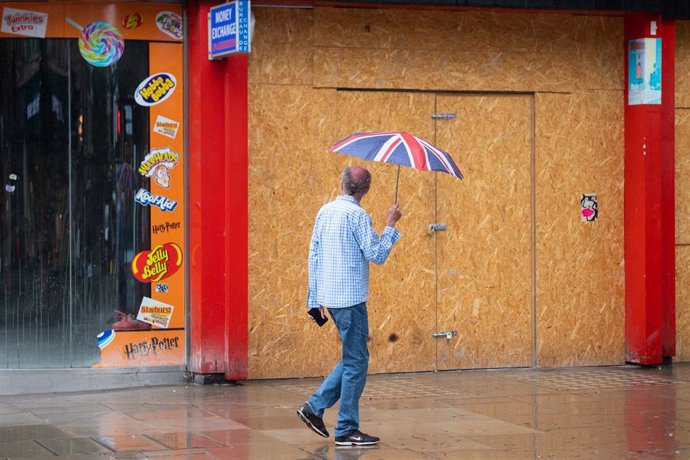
{"points": [[217, 94]]}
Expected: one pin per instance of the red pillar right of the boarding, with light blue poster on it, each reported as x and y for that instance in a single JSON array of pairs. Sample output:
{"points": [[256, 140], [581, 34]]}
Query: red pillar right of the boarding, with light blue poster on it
{"points": [[649, 203]]}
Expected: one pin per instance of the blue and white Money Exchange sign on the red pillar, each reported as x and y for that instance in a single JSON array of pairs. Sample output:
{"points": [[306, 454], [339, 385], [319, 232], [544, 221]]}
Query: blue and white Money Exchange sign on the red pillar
{"points": [[228, 29]]}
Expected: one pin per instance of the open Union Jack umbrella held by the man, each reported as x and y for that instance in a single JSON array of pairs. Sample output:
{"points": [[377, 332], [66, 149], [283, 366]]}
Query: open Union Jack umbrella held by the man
{"points": [[398, 147]]}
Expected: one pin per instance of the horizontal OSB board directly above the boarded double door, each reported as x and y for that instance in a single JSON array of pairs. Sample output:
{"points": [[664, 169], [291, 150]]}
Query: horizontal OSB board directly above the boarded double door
{"points": [[482, 70]]}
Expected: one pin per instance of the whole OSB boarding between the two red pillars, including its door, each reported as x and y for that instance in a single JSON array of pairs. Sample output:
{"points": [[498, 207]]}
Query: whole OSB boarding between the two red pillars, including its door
{"points": [[534, 106]]}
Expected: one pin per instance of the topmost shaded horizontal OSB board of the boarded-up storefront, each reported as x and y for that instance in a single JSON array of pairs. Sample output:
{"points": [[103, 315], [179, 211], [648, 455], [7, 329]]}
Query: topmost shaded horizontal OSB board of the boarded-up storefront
{"points": [[509, 32]]}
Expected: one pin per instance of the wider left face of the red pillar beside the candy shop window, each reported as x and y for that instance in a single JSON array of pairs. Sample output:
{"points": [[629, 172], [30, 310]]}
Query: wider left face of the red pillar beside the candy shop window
{"points": [[207, 205]]}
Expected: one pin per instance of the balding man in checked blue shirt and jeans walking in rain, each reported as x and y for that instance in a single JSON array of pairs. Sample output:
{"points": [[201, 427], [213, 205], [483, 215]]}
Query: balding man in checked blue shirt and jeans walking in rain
{"points": [[342, 245]]}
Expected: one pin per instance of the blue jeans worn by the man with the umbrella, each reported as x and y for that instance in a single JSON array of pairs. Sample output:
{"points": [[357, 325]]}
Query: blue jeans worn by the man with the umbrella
{"points": [[346, 380]]}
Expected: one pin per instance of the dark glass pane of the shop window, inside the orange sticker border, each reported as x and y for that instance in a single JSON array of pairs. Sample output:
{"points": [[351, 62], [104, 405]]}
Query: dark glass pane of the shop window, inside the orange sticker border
{"points": [[71, 136]]}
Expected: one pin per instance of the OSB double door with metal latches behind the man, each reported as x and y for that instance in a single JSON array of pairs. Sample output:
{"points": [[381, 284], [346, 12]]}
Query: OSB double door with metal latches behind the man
{"points": [[475, 277]]}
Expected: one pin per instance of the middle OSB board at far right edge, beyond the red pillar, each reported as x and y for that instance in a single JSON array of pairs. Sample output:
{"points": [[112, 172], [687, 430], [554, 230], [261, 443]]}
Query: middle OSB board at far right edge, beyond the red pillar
{"points": [[682, 176]]}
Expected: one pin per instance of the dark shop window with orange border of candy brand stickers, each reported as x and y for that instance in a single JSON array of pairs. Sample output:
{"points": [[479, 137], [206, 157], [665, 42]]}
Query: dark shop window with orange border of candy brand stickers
{"points": [[83, 164]]}
